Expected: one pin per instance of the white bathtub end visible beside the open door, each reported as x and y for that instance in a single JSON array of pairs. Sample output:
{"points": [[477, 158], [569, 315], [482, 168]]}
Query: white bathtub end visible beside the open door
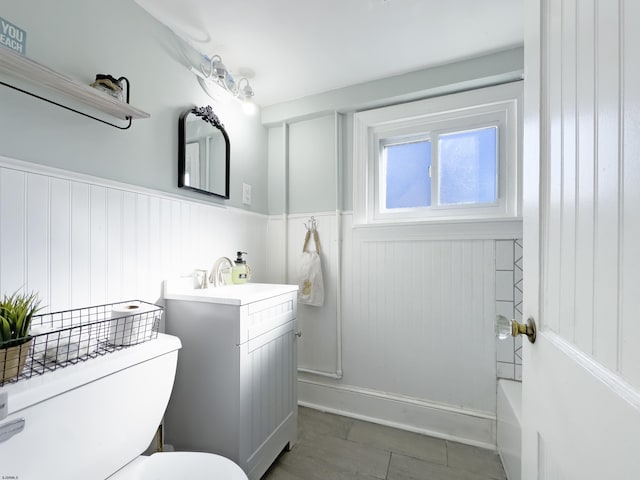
{"points": [[509, 431]]}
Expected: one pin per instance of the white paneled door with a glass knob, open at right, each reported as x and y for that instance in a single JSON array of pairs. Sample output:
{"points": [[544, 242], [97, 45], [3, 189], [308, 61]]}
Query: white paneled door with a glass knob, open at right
{"points": [[581, 379]]}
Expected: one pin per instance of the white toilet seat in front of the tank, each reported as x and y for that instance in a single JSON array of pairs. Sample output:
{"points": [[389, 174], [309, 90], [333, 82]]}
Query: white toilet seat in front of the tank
{"points": [[172, 465]]}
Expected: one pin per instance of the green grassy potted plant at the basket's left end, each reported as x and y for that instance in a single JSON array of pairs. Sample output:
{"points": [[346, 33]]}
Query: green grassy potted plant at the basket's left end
{"points": [[16, 312]]}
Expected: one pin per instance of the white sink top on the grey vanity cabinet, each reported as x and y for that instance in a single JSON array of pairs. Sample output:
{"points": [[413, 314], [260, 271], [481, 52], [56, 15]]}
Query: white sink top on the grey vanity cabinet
{"points": [[182, 289]]}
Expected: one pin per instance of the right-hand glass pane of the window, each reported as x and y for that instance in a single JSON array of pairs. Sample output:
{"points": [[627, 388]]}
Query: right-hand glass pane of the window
{"points": [[468, 166]]}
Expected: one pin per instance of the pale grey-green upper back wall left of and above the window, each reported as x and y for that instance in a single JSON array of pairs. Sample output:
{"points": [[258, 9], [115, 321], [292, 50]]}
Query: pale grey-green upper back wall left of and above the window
{"points": [[309, 130]]}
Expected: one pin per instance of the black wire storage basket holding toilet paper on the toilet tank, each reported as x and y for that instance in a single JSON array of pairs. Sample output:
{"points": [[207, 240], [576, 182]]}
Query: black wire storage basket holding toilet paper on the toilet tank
{"points": [[68, 337]]}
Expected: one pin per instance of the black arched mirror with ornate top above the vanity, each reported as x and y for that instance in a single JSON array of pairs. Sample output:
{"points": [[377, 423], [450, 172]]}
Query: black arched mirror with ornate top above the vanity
{"points": [[203, 156]]}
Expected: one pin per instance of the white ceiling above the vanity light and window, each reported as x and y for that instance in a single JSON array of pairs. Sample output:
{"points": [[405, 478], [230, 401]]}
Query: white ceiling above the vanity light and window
{"points": [[294, 48]]}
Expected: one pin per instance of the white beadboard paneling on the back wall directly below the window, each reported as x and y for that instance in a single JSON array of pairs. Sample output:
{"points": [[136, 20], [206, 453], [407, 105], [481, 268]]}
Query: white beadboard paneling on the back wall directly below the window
{"points": [[422, 322]]}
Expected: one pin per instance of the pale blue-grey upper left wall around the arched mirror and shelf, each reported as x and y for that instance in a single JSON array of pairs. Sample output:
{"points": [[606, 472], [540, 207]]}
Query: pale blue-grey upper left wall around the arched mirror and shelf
{"points": [[80, 38]]}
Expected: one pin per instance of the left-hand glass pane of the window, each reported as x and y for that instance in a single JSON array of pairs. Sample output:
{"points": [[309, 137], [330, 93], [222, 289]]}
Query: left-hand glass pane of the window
{"points": [[407, 175]]}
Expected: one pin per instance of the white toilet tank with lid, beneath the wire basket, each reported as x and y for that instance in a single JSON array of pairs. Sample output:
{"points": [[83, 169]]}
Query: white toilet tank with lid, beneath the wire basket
{"points": [[88, 420]]}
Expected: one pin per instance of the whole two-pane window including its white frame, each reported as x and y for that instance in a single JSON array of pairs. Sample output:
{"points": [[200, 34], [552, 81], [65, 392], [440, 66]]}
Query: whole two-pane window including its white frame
{"points": [[452, 157]]}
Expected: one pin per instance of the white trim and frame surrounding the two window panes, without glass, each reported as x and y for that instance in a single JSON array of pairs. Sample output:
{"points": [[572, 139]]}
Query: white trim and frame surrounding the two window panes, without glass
{"points": [[500, 104]]}
